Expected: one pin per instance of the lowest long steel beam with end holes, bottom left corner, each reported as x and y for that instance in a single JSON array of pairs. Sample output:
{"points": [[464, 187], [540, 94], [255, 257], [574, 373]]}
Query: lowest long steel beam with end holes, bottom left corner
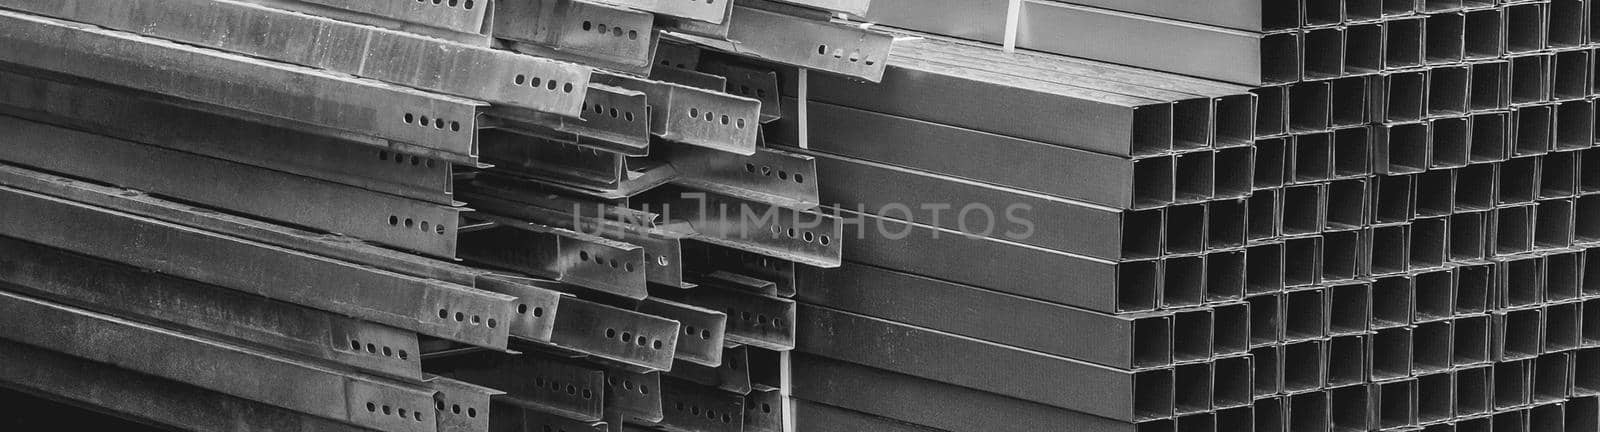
{"points": [[218, 367]]}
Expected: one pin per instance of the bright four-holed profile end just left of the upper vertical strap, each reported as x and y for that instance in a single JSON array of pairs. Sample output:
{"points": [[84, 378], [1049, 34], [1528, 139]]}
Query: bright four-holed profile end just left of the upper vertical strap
{"points": [[695, 116]]}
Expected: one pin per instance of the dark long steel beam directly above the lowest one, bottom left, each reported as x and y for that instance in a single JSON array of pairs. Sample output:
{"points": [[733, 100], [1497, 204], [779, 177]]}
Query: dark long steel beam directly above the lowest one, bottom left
{"points": [[130, 292]]}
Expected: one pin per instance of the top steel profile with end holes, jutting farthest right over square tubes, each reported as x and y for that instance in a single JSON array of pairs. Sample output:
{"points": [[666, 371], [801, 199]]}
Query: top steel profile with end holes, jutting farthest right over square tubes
{"points": [[822, 46]]}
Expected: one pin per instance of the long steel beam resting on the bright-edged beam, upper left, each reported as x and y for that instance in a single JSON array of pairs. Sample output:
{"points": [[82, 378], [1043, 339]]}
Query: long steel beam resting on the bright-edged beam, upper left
{"points": [[457, 70]]}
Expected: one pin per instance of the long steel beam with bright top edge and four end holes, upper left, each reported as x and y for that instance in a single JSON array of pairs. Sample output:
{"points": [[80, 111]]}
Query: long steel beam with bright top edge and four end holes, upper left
{"points": [[249, 86]]}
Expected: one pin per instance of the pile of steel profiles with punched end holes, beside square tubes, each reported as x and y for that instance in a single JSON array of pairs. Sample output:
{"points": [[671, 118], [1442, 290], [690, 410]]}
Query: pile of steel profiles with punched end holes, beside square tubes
{"points": [[433, 215]]}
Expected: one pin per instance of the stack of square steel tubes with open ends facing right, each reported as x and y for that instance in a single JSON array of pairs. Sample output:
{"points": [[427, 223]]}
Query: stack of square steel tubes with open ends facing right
{"points": [[1394, 234]]}
